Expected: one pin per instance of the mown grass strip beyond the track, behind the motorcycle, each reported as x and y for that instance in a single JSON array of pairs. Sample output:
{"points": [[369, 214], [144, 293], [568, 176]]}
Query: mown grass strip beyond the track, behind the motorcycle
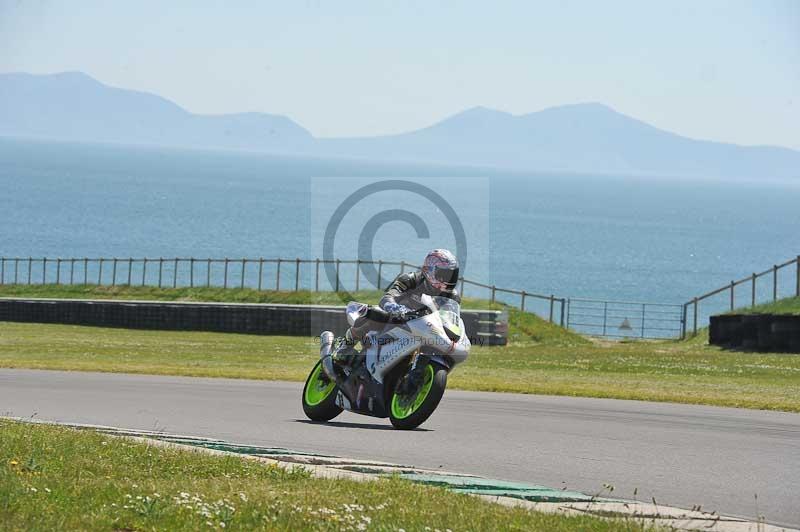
{"points": [[542, 358]]}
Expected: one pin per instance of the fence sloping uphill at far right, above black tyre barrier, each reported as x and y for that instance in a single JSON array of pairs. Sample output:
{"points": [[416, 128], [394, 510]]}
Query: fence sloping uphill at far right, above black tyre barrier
{"points": [[692, 310]]}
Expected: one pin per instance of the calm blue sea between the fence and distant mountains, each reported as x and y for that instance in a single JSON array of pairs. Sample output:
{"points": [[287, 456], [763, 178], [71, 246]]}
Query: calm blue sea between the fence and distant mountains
{"points": [[606, 237]]}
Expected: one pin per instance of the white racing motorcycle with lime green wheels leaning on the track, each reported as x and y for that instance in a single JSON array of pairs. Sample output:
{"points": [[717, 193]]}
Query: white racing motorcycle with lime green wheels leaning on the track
{"points": [[401, 373]]}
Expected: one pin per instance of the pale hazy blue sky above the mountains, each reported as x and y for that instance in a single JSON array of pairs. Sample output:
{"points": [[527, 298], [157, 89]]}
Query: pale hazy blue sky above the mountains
{"points": [[721, 70]]}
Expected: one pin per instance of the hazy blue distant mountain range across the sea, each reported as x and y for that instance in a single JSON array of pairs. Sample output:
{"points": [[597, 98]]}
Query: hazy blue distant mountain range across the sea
{"points": [[582, 138]]}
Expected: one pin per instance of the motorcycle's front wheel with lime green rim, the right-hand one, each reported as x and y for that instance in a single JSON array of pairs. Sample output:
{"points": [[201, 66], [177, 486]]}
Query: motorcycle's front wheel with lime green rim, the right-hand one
{"points": [[408, 410]]}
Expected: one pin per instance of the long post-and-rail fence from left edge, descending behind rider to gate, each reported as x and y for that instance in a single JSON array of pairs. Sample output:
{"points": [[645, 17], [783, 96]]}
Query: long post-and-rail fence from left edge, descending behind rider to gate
{"points": [[287, 274]]}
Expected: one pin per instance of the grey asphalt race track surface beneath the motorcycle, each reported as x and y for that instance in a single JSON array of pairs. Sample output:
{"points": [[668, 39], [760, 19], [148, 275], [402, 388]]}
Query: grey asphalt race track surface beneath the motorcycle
{"points": [[682, 455]]}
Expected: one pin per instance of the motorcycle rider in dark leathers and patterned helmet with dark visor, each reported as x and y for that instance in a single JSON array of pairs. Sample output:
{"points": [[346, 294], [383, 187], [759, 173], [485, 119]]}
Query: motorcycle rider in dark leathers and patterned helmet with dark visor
{"points": [[437, 277]]}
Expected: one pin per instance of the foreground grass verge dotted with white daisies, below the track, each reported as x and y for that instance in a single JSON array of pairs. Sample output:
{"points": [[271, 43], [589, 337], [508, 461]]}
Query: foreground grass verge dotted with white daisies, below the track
{"points": [[55, 478]]}
